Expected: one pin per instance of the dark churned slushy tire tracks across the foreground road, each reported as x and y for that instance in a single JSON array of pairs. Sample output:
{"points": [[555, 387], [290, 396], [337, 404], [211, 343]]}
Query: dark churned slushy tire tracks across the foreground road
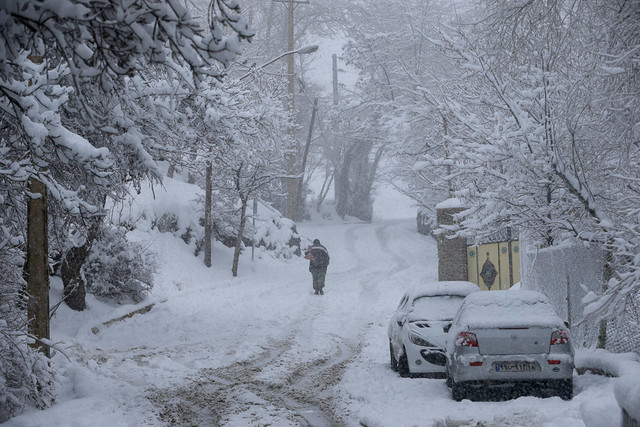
{"points": [[295, 392]]}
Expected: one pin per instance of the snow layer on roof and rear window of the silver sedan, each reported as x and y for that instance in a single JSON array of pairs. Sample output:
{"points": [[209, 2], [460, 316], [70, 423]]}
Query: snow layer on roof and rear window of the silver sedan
{"points": [[502, 308]]}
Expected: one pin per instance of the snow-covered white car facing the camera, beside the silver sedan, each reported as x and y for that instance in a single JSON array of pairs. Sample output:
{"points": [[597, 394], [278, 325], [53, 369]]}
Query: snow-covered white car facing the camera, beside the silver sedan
{"points": [[417, 330]]}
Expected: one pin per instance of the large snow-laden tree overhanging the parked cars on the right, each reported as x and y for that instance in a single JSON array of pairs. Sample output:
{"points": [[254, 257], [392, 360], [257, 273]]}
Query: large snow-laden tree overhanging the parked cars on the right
{"points": [[544, 129]]}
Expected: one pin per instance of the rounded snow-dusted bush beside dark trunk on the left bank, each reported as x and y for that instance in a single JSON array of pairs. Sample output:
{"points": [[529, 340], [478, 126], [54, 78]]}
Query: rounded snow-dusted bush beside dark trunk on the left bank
{"points": [[117, 269]]}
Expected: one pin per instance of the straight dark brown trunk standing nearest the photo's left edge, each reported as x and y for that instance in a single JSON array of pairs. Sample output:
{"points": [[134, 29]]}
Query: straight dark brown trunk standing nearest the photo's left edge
{"points": [[38, 265]]}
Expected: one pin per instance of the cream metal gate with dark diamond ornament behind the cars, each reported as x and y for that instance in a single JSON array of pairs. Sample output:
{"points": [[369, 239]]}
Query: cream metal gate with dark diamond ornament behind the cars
{"points": [[494, 266]]}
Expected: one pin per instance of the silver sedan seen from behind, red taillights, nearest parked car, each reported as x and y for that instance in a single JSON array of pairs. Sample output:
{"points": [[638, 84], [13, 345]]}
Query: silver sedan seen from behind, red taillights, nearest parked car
{"points": [[509, 340]]}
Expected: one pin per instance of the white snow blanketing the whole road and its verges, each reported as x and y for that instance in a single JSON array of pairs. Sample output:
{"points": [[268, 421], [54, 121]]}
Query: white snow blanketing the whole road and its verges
{"points": [[262, 349]]}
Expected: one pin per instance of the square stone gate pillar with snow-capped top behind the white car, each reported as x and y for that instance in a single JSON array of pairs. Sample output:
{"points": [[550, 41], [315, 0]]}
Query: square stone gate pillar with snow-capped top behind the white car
{"points": [[452, 253]]}
